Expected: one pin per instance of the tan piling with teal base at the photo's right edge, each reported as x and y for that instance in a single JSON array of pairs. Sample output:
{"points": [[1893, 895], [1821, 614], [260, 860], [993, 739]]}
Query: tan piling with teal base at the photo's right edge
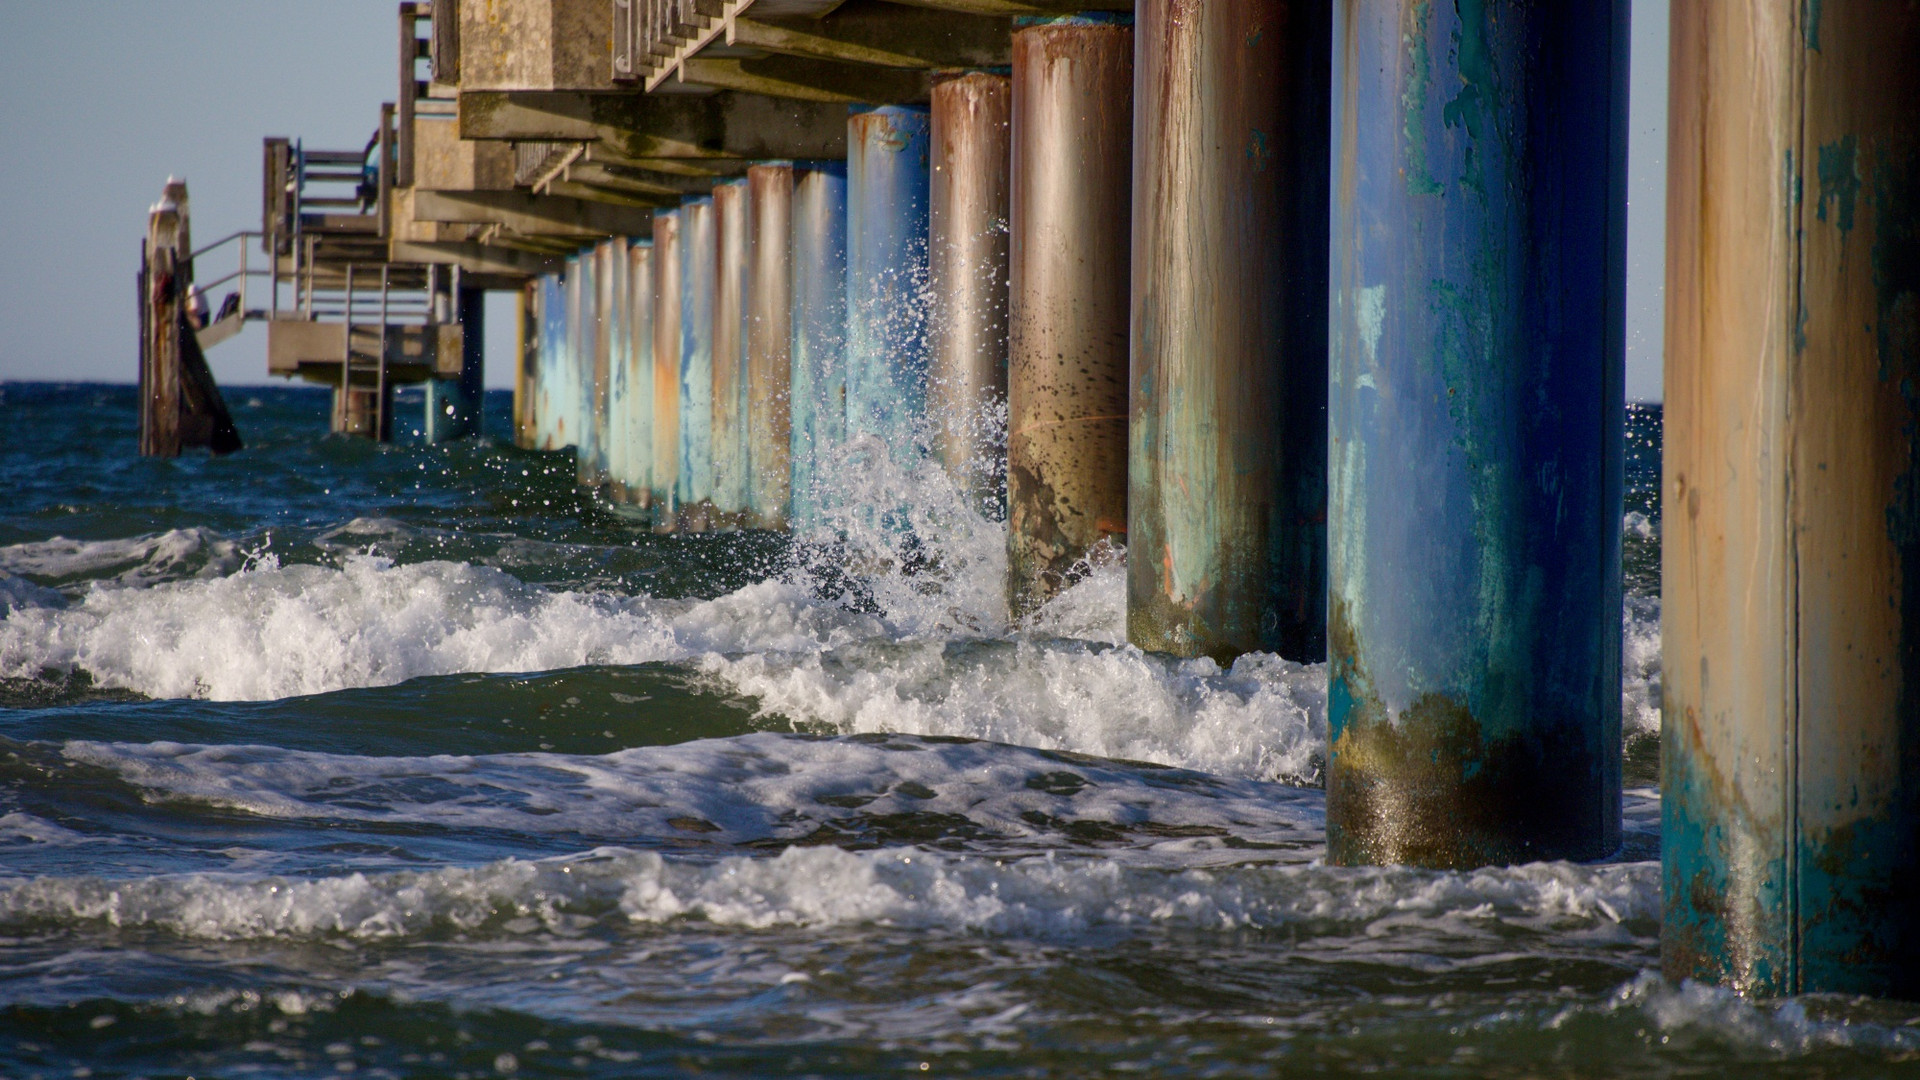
{"points": [[1790, 756]]}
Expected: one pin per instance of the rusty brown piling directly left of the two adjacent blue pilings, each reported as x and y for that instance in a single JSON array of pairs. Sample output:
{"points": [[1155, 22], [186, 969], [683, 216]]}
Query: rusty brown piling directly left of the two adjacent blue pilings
{"points": [[771, 345]]}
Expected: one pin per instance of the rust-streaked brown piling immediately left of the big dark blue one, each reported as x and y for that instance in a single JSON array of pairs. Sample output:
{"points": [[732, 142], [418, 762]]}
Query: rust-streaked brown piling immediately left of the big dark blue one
{"points": [[1226, 481]]}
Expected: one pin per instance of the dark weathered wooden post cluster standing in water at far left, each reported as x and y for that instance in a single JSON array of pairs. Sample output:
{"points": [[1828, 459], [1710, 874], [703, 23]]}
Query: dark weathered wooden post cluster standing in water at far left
{"points": [[180, 403]]}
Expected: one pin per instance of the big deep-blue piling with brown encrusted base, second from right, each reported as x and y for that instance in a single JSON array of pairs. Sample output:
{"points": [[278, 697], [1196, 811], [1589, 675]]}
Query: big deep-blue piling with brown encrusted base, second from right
{"points": [[1477, 420]]}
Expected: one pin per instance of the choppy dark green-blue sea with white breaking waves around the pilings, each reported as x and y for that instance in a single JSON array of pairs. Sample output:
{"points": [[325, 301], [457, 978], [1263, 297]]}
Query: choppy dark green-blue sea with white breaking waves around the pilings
{"points": [[416, 762]]}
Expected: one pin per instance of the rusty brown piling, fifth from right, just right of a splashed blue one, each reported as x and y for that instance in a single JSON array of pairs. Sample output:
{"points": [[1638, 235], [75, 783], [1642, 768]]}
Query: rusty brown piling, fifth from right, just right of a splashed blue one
{"points": [[967, 280]]}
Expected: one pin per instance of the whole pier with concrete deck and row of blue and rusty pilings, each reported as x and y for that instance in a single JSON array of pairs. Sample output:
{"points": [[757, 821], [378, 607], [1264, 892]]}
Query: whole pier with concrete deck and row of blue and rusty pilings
{"points": [[1316, 310]]}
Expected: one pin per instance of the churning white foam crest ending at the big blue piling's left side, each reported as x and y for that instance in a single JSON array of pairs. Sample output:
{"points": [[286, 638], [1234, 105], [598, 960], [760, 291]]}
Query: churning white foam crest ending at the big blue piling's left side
{"points": [[1266, 718]]}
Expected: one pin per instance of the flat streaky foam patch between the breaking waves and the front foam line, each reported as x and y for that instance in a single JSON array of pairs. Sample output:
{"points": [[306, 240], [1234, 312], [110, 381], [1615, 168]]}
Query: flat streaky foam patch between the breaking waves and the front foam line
{"points": [[750, 789]]}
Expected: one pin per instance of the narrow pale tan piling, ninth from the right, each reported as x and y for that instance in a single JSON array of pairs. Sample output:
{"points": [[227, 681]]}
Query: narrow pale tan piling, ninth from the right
{"points": [[732, 287]]}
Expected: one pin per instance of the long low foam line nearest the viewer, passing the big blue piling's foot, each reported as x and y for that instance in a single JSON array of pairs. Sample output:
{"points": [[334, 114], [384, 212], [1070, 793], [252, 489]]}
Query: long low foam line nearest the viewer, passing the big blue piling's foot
{"points": [[828, 887]]}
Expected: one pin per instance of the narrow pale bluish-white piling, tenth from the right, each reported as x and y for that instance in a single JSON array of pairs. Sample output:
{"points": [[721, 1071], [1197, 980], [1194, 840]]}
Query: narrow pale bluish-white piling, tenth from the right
{"points": [[698, 270]]}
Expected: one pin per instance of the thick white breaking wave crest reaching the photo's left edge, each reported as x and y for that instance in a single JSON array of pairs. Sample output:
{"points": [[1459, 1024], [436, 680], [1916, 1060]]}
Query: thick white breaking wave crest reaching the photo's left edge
{"points": [[285, 631]]}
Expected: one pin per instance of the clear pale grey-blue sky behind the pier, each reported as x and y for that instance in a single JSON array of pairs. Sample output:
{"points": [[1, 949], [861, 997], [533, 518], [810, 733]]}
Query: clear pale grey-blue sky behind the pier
{"points": [[101, 101]]}
